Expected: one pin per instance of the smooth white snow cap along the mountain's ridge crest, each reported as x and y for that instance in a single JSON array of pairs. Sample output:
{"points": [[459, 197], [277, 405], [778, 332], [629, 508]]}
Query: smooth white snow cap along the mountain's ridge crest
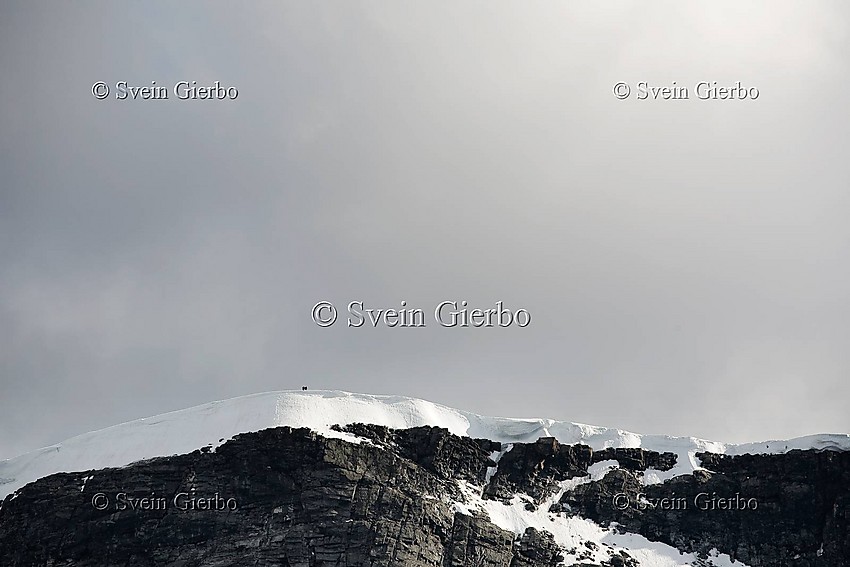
{"points": [[185, 430]]}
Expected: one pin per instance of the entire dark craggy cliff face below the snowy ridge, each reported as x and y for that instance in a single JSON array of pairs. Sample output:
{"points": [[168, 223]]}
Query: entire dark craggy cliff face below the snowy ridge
{"points": [[288, 497]]}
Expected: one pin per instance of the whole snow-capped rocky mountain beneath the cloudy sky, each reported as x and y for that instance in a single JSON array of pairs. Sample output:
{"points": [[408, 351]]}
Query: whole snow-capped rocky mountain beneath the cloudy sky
{"points": [[490, 491]]}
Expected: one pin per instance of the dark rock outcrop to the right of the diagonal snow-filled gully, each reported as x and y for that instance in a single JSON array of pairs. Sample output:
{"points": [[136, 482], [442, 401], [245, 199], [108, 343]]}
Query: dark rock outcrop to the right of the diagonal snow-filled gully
{"points": [[764, 510]]}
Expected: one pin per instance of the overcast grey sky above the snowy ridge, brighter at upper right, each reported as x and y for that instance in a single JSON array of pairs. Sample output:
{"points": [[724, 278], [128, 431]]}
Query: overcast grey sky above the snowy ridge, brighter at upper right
{"points": [[686, 262]]}
